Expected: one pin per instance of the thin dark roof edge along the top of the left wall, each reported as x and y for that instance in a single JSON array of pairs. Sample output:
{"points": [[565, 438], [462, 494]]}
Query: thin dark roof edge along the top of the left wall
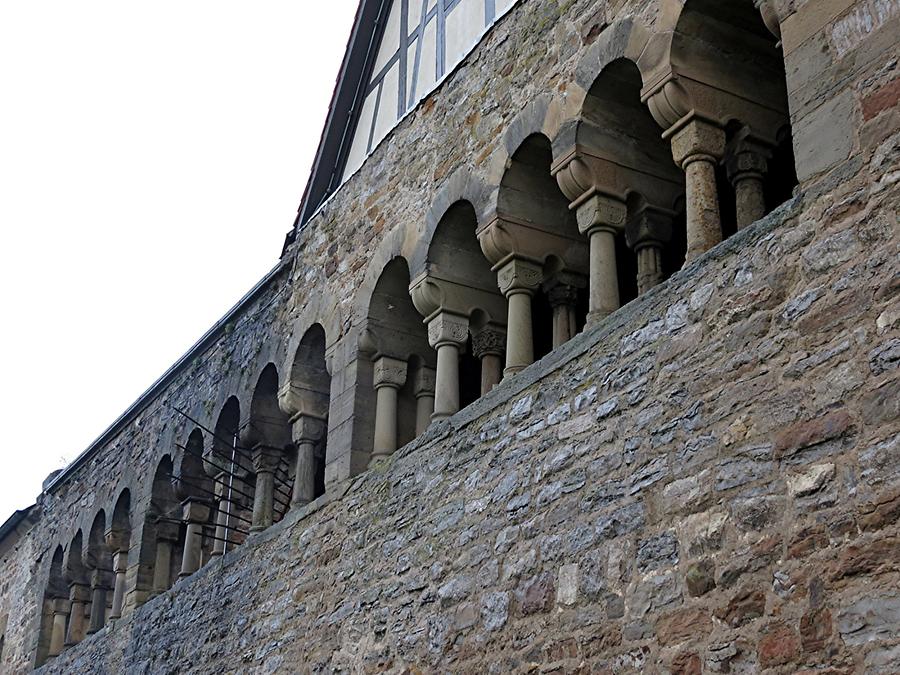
{"points": [[165, 379]]}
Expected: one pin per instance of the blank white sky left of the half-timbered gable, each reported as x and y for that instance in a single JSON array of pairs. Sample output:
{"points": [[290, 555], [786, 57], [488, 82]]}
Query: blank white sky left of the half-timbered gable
{"points": [[152, 157]]}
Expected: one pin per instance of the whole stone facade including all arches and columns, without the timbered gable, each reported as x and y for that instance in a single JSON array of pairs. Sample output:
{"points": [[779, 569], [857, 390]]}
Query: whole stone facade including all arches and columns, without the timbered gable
{"points": [[672, 444]]}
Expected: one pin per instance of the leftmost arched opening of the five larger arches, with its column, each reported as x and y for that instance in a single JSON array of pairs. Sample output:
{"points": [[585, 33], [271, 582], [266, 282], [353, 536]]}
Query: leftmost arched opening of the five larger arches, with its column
{"points": [[394, 339]]}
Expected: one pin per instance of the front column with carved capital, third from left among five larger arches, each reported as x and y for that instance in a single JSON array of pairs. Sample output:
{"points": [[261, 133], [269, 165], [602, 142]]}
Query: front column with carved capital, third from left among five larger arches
{"points": [[518, 279]]}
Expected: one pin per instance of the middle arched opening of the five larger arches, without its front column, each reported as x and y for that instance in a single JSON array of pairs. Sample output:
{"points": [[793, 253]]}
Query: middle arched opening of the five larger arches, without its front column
{"points": [[544, 230]]}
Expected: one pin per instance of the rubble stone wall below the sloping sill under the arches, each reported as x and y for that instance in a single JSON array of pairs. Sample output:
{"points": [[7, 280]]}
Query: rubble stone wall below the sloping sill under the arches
{"points": [[706, 483]]}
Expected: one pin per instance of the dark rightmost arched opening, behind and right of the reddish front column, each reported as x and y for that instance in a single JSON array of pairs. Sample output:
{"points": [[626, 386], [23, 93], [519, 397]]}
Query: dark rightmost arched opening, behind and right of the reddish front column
{"points": [[727, 47]]}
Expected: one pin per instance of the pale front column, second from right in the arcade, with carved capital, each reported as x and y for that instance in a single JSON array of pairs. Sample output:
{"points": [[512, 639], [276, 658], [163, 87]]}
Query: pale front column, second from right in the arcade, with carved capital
{"points": [[602, 218]]}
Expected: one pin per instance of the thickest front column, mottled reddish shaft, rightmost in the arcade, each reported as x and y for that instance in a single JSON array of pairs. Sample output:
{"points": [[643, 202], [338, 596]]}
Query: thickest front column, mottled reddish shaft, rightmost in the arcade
{"points": [[697, 147]]}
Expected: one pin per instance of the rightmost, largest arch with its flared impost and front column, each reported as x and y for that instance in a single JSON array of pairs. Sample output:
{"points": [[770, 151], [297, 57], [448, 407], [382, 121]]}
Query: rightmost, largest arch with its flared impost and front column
{"points": [[717, 85]]}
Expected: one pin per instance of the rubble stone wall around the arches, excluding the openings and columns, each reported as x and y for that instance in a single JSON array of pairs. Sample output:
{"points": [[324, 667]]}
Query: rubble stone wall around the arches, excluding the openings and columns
{"points": [[707, 480]]}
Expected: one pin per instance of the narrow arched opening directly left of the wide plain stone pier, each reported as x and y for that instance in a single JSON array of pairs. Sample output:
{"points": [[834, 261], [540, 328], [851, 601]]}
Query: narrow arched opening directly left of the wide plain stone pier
{"points": [[308, 398]]}
